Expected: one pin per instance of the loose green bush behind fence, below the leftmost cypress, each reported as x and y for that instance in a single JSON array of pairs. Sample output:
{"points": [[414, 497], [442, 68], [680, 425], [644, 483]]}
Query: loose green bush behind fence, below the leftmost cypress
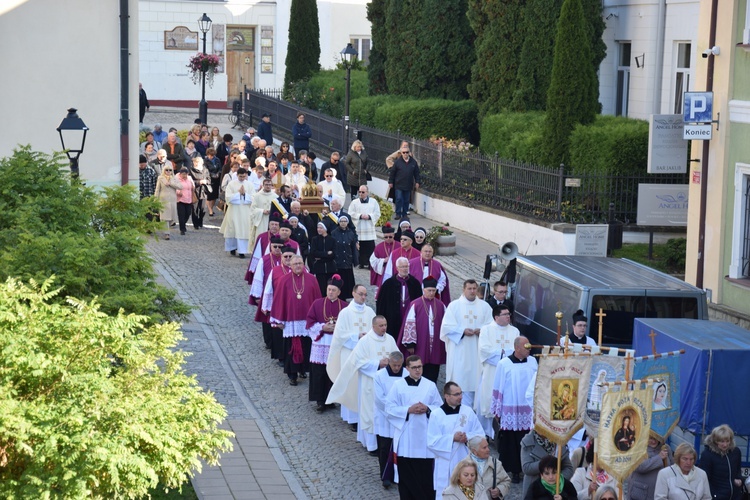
{"points": [[326, 91]]}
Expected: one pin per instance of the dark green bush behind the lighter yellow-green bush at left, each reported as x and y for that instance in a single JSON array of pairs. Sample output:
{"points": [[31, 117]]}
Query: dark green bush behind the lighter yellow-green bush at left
{"points": [[92, 241]]}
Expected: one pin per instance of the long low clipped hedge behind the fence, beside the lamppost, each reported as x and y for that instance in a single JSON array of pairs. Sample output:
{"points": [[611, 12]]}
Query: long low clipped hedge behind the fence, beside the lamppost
{"points": [[421, 118]]}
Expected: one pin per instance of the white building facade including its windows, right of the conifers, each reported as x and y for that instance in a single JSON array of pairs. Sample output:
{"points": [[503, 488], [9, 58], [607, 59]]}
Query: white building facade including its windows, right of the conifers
{"points": [[651, 56]]}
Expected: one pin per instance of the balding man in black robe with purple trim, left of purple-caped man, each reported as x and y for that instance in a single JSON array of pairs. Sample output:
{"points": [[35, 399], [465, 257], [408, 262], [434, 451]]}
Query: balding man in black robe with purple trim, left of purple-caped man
{"points": [[395, 296]]}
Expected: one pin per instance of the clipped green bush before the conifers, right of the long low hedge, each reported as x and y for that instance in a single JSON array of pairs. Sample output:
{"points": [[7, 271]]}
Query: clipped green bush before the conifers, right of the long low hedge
{"points": [[513, 135]]}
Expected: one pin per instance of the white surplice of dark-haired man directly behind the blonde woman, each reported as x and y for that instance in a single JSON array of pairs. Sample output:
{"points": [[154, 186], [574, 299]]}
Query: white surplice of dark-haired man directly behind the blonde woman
{"points": [[448, 453]]}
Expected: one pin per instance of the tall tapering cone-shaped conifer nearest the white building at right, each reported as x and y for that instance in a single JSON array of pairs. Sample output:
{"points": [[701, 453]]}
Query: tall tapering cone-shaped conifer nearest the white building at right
{"points": [[572, 97]]}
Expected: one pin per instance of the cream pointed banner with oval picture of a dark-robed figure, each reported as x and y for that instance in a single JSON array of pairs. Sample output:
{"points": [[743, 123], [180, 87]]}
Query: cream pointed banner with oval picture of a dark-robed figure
{"points": [[622, 440]]}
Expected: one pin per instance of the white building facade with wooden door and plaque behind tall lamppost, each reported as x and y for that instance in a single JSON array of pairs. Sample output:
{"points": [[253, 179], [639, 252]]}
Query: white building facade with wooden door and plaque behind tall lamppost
{"points": [[250, 37]]}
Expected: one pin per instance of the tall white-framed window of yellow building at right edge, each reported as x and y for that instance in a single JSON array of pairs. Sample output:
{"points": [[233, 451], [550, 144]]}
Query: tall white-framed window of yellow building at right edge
{"points": [[739, 267]]}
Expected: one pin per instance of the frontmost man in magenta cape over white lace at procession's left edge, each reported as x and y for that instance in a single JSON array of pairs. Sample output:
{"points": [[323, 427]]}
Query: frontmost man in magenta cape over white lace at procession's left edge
{"points": [[321, 321]]}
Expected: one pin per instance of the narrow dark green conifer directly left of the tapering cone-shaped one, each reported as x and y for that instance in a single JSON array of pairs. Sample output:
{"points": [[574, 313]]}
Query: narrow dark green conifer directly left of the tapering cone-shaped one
{"points": [[535, 67]]}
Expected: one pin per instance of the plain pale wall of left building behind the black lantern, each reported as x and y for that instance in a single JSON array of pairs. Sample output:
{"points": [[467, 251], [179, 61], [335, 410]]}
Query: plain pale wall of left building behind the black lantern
{"points": [[66, 54]]}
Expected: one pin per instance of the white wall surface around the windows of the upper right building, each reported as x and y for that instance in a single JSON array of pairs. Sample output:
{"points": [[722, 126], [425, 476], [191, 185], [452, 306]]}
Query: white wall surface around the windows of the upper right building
{"points": [[637, 22]]}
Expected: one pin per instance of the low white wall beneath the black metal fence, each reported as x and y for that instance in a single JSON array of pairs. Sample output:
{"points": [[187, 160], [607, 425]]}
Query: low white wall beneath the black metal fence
{"points": [[530, 238]]}
